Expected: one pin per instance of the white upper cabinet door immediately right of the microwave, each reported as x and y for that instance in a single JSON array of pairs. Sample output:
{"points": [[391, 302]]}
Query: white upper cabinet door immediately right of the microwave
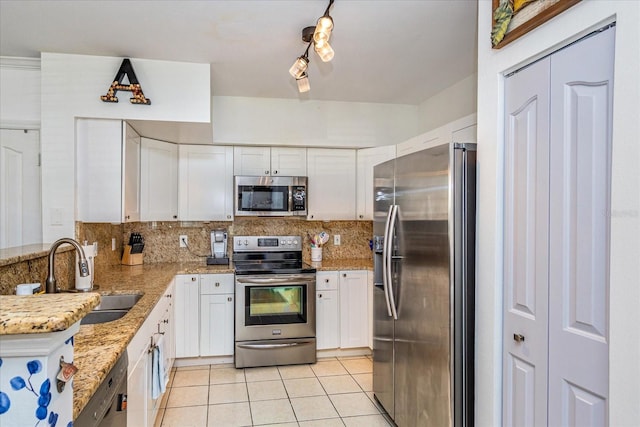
{"points": [[332, 184]]}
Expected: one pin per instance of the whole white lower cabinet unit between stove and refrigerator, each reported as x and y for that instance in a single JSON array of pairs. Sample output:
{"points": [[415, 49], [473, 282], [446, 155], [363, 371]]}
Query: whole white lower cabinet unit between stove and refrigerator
{"points": [[342, 309]]}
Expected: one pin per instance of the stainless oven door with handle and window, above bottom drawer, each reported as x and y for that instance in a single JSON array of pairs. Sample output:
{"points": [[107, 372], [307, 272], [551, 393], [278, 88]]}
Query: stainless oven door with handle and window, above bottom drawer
{"points": [[275, 306]]}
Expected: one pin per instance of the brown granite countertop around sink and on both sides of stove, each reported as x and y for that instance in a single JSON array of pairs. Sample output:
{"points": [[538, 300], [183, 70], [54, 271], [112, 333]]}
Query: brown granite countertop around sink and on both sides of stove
{"points": [[97, 347]]}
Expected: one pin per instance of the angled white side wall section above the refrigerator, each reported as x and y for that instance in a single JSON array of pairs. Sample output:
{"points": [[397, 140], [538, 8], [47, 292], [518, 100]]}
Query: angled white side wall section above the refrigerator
{"points": [[458, 100]]}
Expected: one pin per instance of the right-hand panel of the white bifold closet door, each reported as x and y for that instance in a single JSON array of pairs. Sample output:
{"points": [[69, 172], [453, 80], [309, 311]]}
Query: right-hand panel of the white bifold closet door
{"points": [[581, 111]]}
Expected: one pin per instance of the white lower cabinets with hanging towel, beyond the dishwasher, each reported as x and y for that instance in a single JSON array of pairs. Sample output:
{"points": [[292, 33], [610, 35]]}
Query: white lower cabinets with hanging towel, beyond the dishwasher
{"points": [[142, 408]]}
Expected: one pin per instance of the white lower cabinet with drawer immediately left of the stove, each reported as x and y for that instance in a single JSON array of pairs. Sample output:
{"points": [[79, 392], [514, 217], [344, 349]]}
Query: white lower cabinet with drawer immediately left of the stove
{"points": [[216, 314]]}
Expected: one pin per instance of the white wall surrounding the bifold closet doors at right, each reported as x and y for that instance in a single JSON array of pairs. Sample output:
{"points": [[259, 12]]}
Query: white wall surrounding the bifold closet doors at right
{"points": [[624, 295]]}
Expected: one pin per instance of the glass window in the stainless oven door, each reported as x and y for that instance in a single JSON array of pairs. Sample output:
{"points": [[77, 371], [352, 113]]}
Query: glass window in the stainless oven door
{"points": [[271, 305]]}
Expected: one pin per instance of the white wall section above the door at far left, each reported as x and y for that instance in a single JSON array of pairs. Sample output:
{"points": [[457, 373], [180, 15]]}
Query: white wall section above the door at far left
{"points": [[20, 89]]}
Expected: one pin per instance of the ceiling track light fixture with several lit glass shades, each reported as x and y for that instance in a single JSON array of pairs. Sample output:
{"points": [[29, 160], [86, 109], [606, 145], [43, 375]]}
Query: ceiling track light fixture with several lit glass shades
{"points": [[318, 36]]}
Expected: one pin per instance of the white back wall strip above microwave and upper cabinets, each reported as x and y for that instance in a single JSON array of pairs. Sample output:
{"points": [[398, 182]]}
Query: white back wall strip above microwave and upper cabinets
{"points": [[271, 121]]}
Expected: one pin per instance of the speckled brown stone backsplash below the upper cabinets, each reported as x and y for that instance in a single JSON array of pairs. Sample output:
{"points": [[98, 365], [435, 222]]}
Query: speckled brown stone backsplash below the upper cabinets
{"points": [[162, 244]]}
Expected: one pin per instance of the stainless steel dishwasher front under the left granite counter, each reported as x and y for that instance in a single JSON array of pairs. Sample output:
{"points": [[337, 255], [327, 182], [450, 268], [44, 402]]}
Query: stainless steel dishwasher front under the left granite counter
{"points": [[107, 407]]}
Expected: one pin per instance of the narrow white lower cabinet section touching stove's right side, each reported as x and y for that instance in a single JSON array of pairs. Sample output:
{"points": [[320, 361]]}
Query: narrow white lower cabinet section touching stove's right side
{"points": [[327, 311]]}
